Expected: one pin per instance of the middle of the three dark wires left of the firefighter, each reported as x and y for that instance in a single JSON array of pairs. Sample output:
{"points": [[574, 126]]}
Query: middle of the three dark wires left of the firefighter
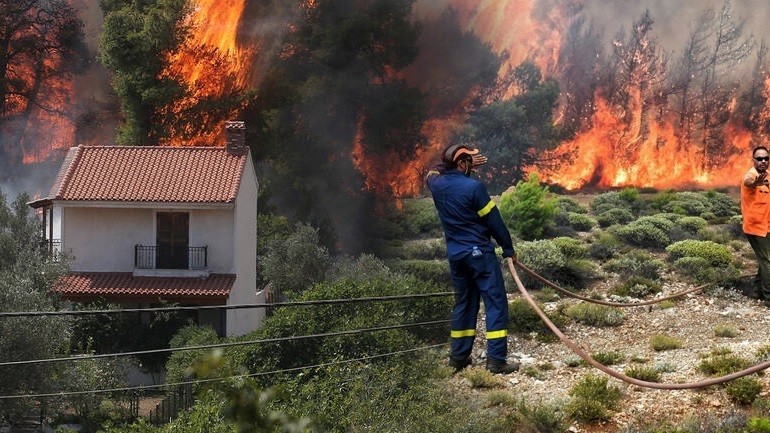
{"points": [[230, 344]]}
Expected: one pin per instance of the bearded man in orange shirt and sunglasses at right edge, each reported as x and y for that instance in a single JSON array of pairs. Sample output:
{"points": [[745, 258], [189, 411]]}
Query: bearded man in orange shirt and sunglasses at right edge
{"points": [[755, 203]]}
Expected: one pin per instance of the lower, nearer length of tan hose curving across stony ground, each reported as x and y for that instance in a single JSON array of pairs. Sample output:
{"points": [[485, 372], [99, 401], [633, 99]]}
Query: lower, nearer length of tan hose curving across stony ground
{"points": [[617, 375]]}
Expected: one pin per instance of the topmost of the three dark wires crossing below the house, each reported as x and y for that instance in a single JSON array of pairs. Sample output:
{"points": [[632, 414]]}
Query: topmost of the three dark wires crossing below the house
{"points": [[222, 307]]}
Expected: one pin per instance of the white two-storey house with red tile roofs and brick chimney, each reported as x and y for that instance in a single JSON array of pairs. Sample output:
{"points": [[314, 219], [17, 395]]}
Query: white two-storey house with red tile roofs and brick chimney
{"points": [[144, 225]]}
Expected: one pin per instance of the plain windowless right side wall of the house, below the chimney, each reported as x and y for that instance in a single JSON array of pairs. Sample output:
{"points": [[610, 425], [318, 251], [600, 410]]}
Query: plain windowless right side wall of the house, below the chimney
{"points": [[241, 321]]}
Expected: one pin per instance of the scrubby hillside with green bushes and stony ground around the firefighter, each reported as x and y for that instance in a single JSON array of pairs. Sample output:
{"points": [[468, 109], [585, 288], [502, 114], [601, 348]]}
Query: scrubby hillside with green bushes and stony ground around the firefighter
{"points": [[622, 245]]}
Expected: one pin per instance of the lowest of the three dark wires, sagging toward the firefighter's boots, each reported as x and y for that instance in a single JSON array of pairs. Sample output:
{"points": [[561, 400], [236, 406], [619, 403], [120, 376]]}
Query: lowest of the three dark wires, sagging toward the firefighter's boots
{"points": [[243, 376]]}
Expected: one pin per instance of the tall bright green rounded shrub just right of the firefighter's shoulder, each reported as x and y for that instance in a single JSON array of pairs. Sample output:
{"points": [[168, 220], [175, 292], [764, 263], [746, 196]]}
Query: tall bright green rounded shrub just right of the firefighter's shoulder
{"points": [[529, 208]]}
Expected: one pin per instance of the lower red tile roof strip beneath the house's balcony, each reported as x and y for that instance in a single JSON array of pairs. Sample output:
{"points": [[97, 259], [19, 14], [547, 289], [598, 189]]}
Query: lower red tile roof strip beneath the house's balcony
{"points": [[123, 285]]}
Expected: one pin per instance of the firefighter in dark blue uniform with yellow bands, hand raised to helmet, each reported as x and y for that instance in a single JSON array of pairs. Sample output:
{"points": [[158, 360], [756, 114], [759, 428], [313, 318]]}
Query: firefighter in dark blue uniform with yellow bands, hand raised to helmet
{"points": [[470, 220]]}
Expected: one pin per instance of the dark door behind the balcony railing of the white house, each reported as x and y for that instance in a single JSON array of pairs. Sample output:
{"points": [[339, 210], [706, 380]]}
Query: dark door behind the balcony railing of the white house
{"points": [[172, 240]]}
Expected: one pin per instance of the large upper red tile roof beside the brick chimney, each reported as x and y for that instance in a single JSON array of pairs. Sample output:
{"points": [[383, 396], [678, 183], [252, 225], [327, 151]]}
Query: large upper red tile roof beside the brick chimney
{"points": [[149, 174]]}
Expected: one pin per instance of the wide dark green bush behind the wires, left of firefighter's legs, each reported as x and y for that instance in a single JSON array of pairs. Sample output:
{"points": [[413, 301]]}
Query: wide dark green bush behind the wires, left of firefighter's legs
{"points": [[287, 321]]}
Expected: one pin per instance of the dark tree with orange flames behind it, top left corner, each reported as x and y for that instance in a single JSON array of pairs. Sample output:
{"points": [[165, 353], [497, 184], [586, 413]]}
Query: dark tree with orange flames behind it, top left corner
{"points": [[41, 47]]}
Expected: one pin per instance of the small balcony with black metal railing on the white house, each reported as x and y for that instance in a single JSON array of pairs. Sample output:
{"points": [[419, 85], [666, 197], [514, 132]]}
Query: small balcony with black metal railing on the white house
{"points": [[160, 260]]}
